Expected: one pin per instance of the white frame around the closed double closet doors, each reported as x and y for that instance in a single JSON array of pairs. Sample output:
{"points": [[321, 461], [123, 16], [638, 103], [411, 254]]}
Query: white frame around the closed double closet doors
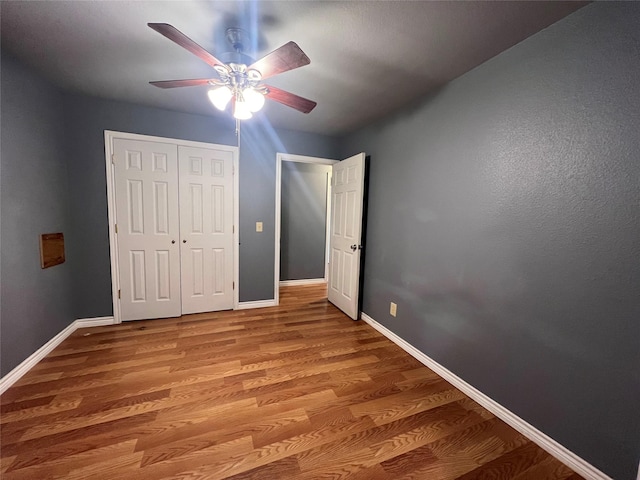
{"points": [[109, 136]]}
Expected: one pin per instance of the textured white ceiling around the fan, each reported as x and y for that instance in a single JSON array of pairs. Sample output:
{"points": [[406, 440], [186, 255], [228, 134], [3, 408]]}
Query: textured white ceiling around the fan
{"points": [[368, 58]]}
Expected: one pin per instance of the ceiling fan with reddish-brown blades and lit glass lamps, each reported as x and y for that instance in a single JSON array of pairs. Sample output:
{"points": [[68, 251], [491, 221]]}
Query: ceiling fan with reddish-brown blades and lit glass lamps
{"points": [[239, 81]]}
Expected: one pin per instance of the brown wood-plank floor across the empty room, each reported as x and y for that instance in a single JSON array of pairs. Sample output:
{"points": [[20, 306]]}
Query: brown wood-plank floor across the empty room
{"points": [[298, 391]]}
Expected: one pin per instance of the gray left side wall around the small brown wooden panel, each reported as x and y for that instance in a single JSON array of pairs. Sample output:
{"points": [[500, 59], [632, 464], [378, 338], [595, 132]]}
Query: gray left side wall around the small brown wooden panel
{"points": [[35, 303]]}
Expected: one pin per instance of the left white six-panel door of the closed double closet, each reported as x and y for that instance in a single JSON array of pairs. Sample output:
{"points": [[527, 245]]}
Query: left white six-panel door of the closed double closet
{"points": [[146, 184]]}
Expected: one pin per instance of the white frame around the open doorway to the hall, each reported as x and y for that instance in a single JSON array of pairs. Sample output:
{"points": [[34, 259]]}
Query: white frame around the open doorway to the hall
{"points": [[288, 157]]}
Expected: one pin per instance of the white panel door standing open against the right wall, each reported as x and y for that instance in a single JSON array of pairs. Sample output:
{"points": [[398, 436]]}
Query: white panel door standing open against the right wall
{"points": [[346, 234]]}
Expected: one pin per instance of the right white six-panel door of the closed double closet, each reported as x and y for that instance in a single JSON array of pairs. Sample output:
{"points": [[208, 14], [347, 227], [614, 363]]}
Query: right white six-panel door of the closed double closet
{"points": [[206, 228]]}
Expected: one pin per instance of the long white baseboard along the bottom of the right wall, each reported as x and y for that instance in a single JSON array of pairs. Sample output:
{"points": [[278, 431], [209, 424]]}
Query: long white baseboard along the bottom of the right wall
{"points": [[566, 456]]}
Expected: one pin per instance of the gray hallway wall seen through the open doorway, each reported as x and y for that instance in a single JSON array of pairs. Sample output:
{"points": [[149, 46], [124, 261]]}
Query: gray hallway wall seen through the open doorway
{"points": [[303, 220]]}
